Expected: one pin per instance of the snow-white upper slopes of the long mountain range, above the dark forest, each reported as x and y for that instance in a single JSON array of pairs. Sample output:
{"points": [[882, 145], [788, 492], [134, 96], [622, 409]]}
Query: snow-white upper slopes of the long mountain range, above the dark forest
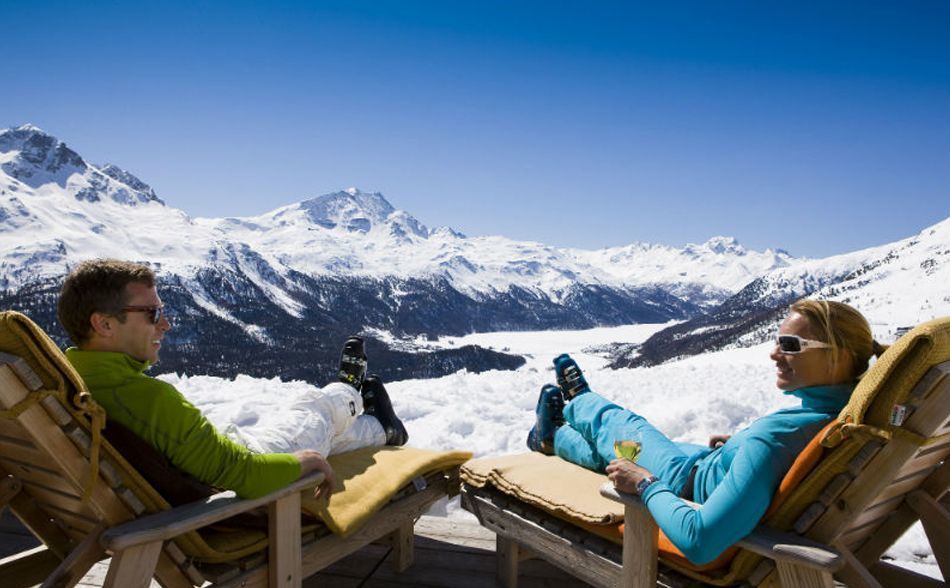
{"points": [[57, 208]]}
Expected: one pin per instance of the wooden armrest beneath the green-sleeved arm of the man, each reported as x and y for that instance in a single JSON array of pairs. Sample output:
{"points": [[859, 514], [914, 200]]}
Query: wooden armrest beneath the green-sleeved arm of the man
{"points": [[165, 525]]}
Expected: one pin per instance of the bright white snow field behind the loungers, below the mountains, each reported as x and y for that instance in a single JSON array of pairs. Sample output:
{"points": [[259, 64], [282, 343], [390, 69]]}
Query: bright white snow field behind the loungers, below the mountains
{"points": [[490, 413]]}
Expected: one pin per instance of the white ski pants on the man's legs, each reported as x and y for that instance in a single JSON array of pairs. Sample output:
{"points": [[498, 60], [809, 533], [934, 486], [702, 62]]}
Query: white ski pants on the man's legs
{"points": [[328, 420]]}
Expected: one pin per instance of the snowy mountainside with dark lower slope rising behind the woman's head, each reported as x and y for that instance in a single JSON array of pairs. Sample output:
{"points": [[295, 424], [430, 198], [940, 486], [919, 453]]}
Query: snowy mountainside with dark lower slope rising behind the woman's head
{"points": [[897, 286]]}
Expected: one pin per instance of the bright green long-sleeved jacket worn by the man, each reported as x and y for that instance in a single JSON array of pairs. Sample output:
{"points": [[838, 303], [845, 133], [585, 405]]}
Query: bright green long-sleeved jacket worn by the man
{"points": [[159, 414]]}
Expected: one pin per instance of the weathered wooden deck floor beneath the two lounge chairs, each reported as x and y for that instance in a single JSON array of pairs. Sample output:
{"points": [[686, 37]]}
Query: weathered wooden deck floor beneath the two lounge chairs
{"points": [[448, 553]]}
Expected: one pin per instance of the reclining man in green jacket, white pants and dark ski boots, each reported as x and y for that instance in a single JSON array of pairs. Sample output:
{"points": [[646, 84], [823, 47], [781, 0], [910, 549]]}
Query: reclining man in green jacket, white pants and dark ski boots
{"points": [[112, 312]]}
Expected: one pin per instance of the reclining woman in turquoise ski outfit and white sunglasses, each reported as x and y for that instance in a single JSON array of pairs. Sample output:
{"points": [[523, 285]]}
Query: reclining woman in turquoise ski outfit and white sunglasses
{"points": [[822, 349]]}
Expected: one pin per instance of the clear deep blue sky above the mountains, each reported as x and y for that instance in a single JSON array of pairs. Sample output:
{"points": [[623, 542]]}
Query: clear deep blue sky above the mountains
{"points": [[818, 127]]}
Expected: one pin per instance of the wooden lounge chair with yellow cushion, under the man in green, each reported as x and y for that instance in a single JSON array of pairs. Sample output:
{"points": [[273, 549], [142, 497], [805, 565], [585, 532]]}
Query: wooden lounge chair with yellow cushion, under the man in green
{"points": [[78, 495]]}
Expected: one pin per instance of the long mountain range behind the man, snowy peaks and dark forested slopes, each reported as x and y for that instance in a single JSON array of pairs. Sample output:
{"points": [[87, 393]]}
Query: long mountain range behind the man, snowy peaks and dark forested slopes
{"points": [[332, 265]]}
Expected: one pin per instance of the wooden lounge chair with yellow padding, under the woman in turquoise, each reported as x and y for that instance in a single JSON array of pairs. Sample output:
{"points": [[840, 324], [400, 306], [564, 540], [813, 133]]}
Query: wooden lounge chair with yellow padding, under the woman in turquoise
{"points": [[878, 469]]}
